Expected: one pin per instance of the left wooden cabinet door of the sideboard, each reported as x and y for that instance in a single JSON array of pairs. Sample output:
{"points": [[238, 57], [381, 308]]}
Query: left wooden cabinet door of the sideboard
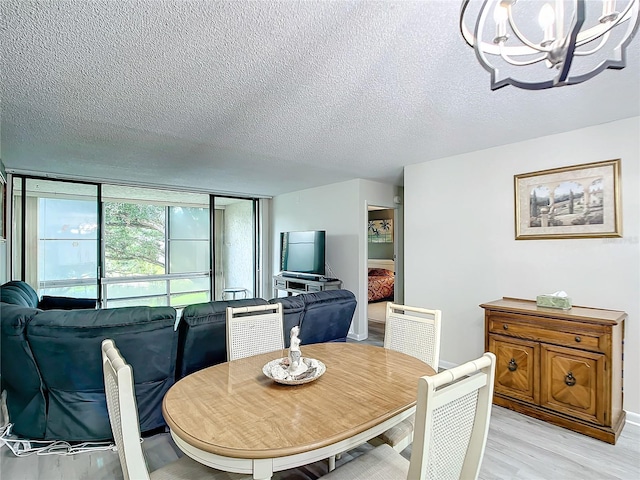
{"points": [[516, 367]]}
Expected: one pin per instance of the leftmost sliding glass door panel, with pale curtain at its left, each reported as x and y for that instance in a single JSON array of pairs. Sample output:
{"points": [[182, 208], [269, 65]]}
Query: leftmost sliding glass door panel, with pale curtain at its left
{"points": [[59, 222]]}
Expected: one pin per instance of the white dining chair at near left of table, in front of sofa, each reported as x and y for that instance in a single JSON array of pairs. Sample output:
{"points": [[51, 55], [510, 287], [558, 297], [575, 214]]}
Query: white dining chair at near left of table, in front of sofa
{"points": [[123, 416]]}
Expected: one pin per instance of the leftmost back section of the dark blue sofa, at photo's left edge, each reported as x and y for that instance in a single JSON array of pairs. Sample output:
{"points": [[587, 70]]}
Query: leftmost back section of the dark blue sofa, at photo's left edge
{"points": [[21, 380]]}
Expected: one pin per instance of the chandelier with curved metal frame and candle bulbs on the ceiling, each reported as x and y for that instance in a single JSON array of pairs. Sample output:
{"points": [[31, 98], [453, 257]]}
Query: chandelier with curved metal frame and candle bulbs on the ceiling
{"points": [[572, 41]]}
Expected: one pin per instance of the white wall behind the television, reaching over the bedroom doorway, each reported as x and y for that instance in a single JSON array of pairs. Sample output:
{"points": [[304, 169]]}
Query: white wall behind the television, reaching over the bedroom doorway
{"points": [[341, 210]]}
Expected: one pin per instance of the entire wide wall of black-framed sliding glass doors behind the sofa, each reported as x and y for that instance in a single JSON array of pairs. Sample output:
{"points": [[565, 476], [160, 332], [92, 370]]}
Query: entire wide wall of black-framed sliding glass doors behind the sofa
{"points": [[125, 245]]}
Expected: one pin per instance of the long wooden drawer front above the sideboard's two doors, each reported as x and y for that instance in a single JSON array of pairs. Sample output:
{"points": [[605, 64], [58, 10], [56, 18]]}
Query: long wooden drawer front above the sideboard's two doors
{"points": [[508, 327]]}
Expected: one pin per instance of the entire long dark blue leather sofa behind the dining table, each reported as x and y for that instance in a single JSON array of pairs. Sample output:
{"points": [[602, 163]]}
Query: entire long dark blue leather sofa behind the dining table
{"points": [[51, 366]]}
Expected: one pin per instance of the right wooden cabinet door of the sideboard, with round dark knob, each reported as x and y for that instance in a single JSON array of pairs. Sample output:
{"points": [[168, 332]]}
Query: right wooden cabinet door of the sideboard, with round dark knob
{"points": [[571, 380]]}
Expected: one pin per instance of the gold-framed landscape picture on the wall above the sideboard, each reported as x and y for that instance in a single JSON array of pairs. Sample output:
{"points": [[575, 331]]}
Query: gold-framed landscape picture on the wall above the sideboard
{"points": [[569, 202]]}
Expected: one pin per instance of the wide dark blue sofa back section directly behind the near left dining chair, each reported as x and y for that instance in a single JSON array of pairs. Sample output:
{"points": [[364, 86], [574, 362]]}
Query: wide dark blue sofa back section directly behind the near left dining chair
{"points": [[66, 347]]}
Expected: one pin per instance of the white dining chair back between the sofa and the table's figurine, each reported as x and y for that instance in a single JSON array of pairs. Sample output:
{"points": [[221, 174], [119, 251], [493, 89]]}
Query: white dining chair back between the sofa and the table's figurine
{"points": [[253, 330]]}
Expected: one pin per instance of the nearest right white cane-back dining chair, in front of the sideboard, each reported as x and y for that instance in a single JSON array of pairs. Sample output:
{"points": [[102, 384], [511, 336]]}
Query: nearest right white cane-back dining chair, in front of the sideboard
{"points": [[452, 422]]}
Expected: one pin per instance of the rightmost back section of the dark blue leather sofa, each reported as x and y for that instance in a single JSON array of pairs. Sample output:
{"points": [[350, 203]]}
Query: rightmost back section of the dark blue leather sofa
{"points": [[327, 316]]}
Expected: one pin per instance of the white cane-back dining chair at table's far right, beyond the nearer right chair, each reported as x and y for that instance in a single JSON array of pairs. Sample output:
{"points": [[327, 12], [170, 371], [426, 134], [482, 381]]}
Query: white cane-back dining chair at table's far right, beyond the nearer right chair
{"points": [[416, 332]]}
